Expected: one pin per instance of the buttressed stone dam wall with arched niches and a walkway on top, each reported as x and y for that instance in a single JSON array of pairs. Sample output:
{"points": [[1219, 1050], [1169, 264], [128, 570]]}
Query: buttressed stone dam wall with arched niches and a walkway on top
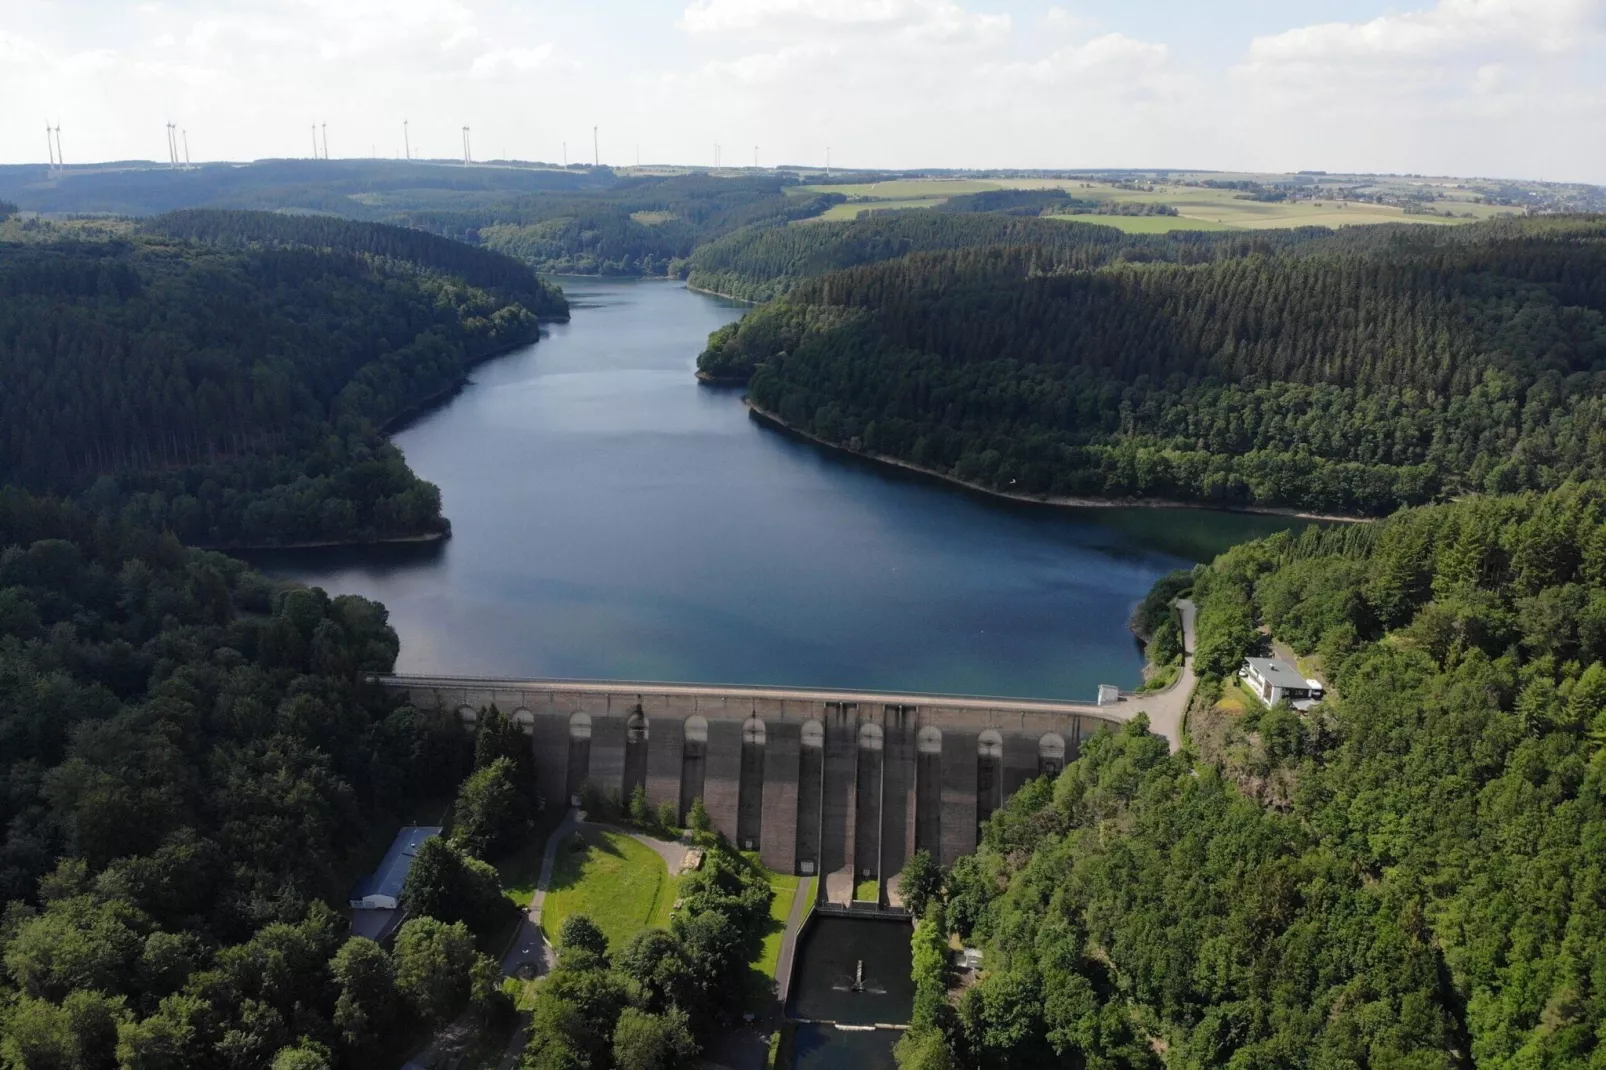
{"points": [[831, 783]]}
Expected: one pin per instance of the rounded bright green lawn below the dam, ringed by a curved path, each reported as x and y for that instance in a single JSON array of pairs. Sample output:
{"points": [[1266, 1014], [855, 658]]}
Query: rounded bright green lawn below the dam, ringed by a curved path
{"points": [[621, 884]]}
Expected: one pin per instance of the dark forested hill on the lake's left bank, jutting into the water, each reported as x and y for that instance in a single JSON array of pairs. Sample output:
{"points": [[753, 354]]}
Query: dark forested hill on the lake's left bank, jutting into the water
{"points": [[227, 375]]}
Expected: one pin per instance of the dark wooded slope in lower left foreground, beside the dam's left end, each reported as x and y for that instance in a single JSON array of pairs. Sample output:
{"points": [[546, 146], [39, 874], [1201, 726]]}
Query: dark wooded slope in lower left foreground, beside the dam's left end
{"points": [[190, 761]]}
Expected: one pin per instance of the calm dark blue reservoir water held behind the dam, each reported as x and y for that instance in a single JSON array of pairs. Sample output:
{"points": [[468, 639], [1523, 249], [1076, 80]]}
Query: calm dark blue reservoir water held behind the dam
{"points": [[614, 520]]}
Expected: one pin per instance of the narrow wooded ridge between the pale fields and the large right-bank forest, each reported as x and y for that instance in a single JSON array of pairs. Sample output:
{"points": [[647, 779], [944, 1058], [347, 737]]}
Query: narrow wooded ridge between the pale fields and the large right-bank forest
{"points": [[765, 263]]}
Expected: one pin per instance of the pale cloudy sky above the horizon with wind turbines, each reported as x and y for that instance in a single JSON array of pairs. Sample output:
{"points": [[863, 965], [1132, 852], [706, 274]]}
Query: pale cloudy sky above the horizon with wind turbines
{"points": [[1457, 88]]}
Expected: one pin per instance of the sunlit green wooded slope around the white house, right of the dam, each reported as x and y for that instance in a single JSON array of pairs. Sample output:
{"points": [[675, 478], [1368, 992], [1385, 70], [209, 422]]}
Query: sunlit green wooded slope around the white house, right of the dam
{"points": [[1412, 875]]}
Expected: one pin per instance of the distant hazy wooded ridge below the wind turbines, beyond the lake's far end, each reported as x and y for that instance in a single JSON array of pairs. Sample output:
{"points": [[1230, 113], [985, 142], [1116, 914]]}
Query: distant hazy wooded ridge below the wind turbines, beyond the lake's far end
{"points": [[587, 221]]}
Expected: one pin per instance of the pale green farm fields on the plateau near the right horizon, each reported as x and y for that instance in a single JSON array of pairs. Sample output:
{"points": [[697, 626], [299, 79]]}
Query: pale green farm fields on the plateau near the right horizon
{"points": [[1199, 208]]}
